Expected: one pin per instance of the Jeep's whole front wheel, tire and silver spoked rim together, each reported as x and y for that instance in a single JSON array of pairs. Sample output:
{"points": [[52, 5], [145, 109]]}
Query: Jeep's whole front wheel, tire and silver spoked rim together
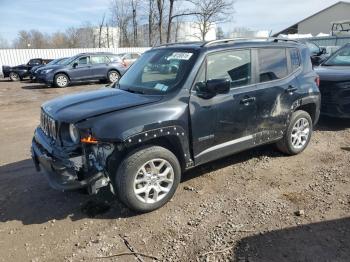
{"points": [[147, 178]]}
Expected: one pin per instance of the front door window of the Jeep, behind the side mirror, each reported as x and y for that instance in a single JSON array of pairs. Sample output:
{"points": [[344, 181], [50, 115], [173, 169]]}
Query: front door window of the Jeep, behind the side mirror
{"points": [[234, 66]]}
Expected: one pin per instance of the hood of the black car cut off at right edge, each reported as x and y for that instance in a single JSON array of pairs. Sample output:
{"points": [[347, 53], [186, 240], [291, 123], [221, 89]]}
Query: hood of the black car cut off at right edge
{"points": [[333, 73]]}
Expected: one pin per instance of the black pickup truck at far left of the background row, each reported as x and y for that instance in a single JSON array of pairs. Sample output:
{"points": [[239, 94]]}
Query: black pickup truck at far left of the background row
{"points": [[19, 72]]}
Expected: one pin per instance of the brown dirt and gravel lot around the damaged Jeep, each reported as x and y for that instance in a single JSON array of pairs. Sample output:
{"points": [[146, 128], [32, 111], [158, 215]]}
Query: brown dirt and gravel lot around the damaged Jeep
{"points": [[241, 208]]}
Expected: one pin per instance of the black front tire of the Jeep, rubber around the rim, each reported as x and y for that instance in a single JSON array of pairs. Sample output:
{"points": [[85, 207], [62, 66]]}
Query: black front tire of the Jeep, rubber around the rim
{"points": [[128, 171]]}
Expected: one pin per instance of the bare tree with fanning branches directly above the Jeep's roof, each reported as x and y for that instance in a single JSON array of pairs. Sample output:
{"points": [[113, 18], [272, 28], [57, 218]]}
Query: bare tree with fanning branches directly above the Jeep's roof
{"points": [[211, 12]]}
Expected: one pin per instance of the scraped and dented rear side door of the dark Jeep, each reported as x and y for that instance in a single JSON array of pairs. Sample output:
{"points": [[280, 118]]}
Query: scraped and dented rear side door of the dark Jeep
{"points": [[277, 88]]}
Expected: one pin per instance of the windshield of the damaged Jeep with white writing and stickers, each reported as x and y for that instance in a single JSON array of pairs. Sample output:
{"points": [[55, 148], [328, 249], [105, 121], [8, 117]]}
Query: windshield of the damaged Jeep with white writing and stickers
{"points": [[159, 71]]}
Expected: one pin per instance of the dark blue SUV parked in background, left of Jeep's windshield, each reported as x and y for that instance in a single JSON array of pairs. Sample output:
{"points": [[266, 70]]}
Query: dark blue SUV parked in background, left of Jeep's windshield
{"points": [[81, 68]]}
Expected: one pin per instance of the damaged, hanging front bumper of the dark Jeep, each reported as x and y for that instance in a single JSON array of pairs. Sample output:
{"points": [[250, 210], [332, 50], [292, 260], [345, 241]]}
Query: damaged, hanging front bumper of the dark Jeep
{"points": [[62, 171]]}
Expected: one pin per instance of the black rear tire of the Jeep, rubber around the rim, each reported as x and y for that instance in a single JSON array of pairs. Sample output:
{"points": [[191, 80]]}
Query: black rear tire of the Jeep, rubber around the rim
{"points": [[285, 145]]}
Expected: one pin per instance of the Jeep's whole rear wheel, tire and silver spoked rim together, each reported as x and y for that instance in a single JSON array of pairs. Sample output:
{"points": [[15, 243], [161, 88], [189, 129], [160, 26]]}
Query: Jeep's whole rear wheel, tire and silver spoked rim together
{"points": [[298, 134]]}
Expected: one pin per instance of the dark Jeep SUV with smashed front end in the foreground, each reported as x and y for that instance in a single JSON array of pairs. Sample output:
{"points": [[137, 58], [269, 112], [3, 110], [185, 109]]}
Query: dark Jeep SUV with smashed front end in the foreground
{"points": [[141, 135]]}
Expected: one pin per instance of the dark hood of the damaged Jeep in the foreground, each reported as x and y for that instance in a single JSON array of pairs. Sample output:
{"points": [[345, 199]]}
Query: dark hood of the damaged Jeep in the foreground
{"points": [[76, 107]]}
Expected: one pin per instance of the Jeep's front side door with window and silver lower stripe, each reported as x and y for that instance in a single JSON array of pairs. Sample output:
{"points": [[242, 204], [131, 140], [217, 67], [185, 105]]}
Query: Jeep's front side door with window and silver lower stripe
{"points": [[225, 123]]}
